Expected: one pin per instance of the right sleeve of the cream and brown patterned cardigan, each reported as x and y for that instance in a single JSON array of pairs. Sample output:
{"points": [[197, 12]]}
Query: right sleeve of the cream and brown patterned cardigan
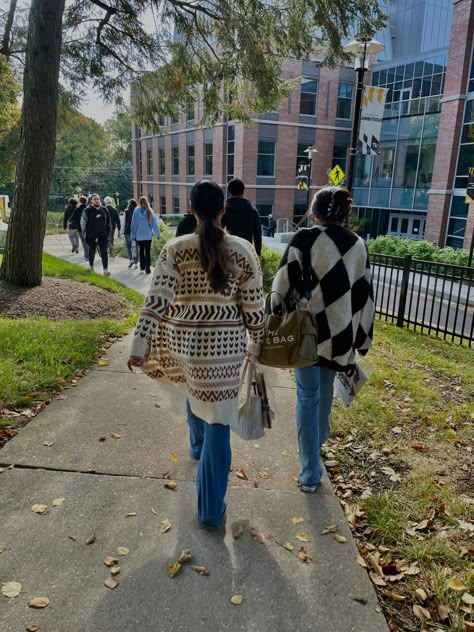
{"points": [[252, 303]]}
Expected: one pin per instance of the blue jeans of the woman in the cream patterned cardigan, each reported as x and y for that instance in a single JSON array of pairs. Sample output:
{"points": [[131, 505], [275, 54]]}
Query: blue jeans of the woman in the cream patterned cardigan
{"points": [[210, 443]]}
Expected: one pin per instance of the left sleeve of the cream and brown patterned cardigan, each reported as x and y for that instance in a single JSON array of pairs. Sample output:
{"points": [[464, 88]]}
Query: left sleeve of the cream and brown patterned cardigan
{"points": [[163, 286]]}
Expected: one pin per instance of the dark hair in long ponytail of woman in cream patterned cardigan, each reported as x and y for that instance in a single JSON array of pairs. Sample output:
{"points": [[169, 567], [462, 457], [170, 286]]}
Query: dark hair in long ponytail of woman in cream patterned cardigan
{"points": [[207, 200]]}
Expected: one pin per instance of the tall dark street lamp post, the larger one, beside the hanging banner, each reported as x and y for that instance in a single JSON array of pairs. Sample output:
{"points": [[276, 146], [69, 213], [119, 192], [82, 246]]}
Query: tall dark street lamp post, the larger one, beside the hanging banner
{"points": [[360, 49]]}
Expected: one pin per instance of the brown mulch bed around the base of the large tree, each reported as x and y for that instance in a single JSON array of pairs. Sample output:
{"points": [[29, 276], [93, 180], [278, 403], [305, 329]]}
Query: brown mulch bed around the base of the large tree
{"points": [[61, 299]]}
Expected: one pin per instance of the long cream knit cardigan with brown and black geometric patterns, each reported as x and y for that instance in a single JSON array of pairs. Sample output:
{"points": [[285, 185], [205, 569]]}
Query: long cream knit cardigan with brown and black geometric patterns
{"points": [[198, 336]]}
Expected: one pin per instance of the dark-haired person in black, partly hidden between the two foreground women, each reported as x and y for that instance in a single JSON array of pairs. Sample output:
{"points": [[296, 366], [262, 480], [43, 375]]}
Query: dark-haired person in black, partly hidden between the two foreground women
{"points": [[240, 217]]}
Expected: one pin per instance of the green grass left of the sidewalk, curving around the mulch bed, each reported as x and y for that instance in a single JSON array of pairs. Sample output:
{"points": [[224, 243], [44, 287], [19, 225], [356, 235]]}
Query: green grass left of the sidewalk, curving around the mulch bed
{"points": [[35, 352]]}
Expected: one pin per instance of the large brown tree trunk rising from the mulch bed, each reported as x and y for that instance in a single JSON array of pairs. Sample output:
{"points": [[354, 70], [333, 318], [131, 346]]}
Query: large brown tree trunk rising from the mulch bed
{"points": [[22, 261]]}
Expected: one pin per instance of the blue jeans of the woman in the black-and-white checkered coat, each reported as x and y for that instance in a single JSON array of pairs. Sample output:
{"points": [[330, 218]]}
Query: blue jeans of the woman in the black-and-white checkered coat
{"points": [[314, 393]]}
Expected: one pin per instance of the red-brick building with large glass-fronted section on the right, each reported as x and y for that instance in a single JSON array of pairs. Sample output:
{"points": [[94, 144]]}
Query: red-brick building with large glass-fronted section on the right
{"points": [[415, 187]]}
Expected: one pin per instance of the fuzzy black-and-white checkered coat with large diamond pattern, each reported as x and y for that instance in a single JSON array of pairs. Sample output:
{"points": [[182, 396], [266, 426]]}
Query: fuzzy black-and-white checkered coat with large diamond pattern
{"points": [[341, 290]]}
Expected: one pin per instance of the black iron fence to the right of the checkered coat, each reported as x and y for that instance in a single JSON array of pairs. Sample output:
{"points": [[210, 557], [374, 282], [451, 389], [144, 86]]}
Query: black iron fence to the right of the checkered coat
{"points": [[433, 298]]}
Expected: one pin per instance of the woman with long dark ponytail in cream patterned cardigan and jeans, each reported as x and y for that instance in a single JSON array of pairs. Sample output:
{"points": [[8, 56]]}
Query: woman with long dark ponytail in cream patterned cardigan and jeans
{"points": [[205, 298]]}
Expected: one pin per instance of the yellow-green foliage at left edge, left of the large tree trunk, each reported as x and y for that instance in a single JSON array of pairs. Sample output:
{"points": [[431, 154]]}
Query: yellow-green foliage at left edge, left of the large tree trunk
{"points": [[9, 122]]}
